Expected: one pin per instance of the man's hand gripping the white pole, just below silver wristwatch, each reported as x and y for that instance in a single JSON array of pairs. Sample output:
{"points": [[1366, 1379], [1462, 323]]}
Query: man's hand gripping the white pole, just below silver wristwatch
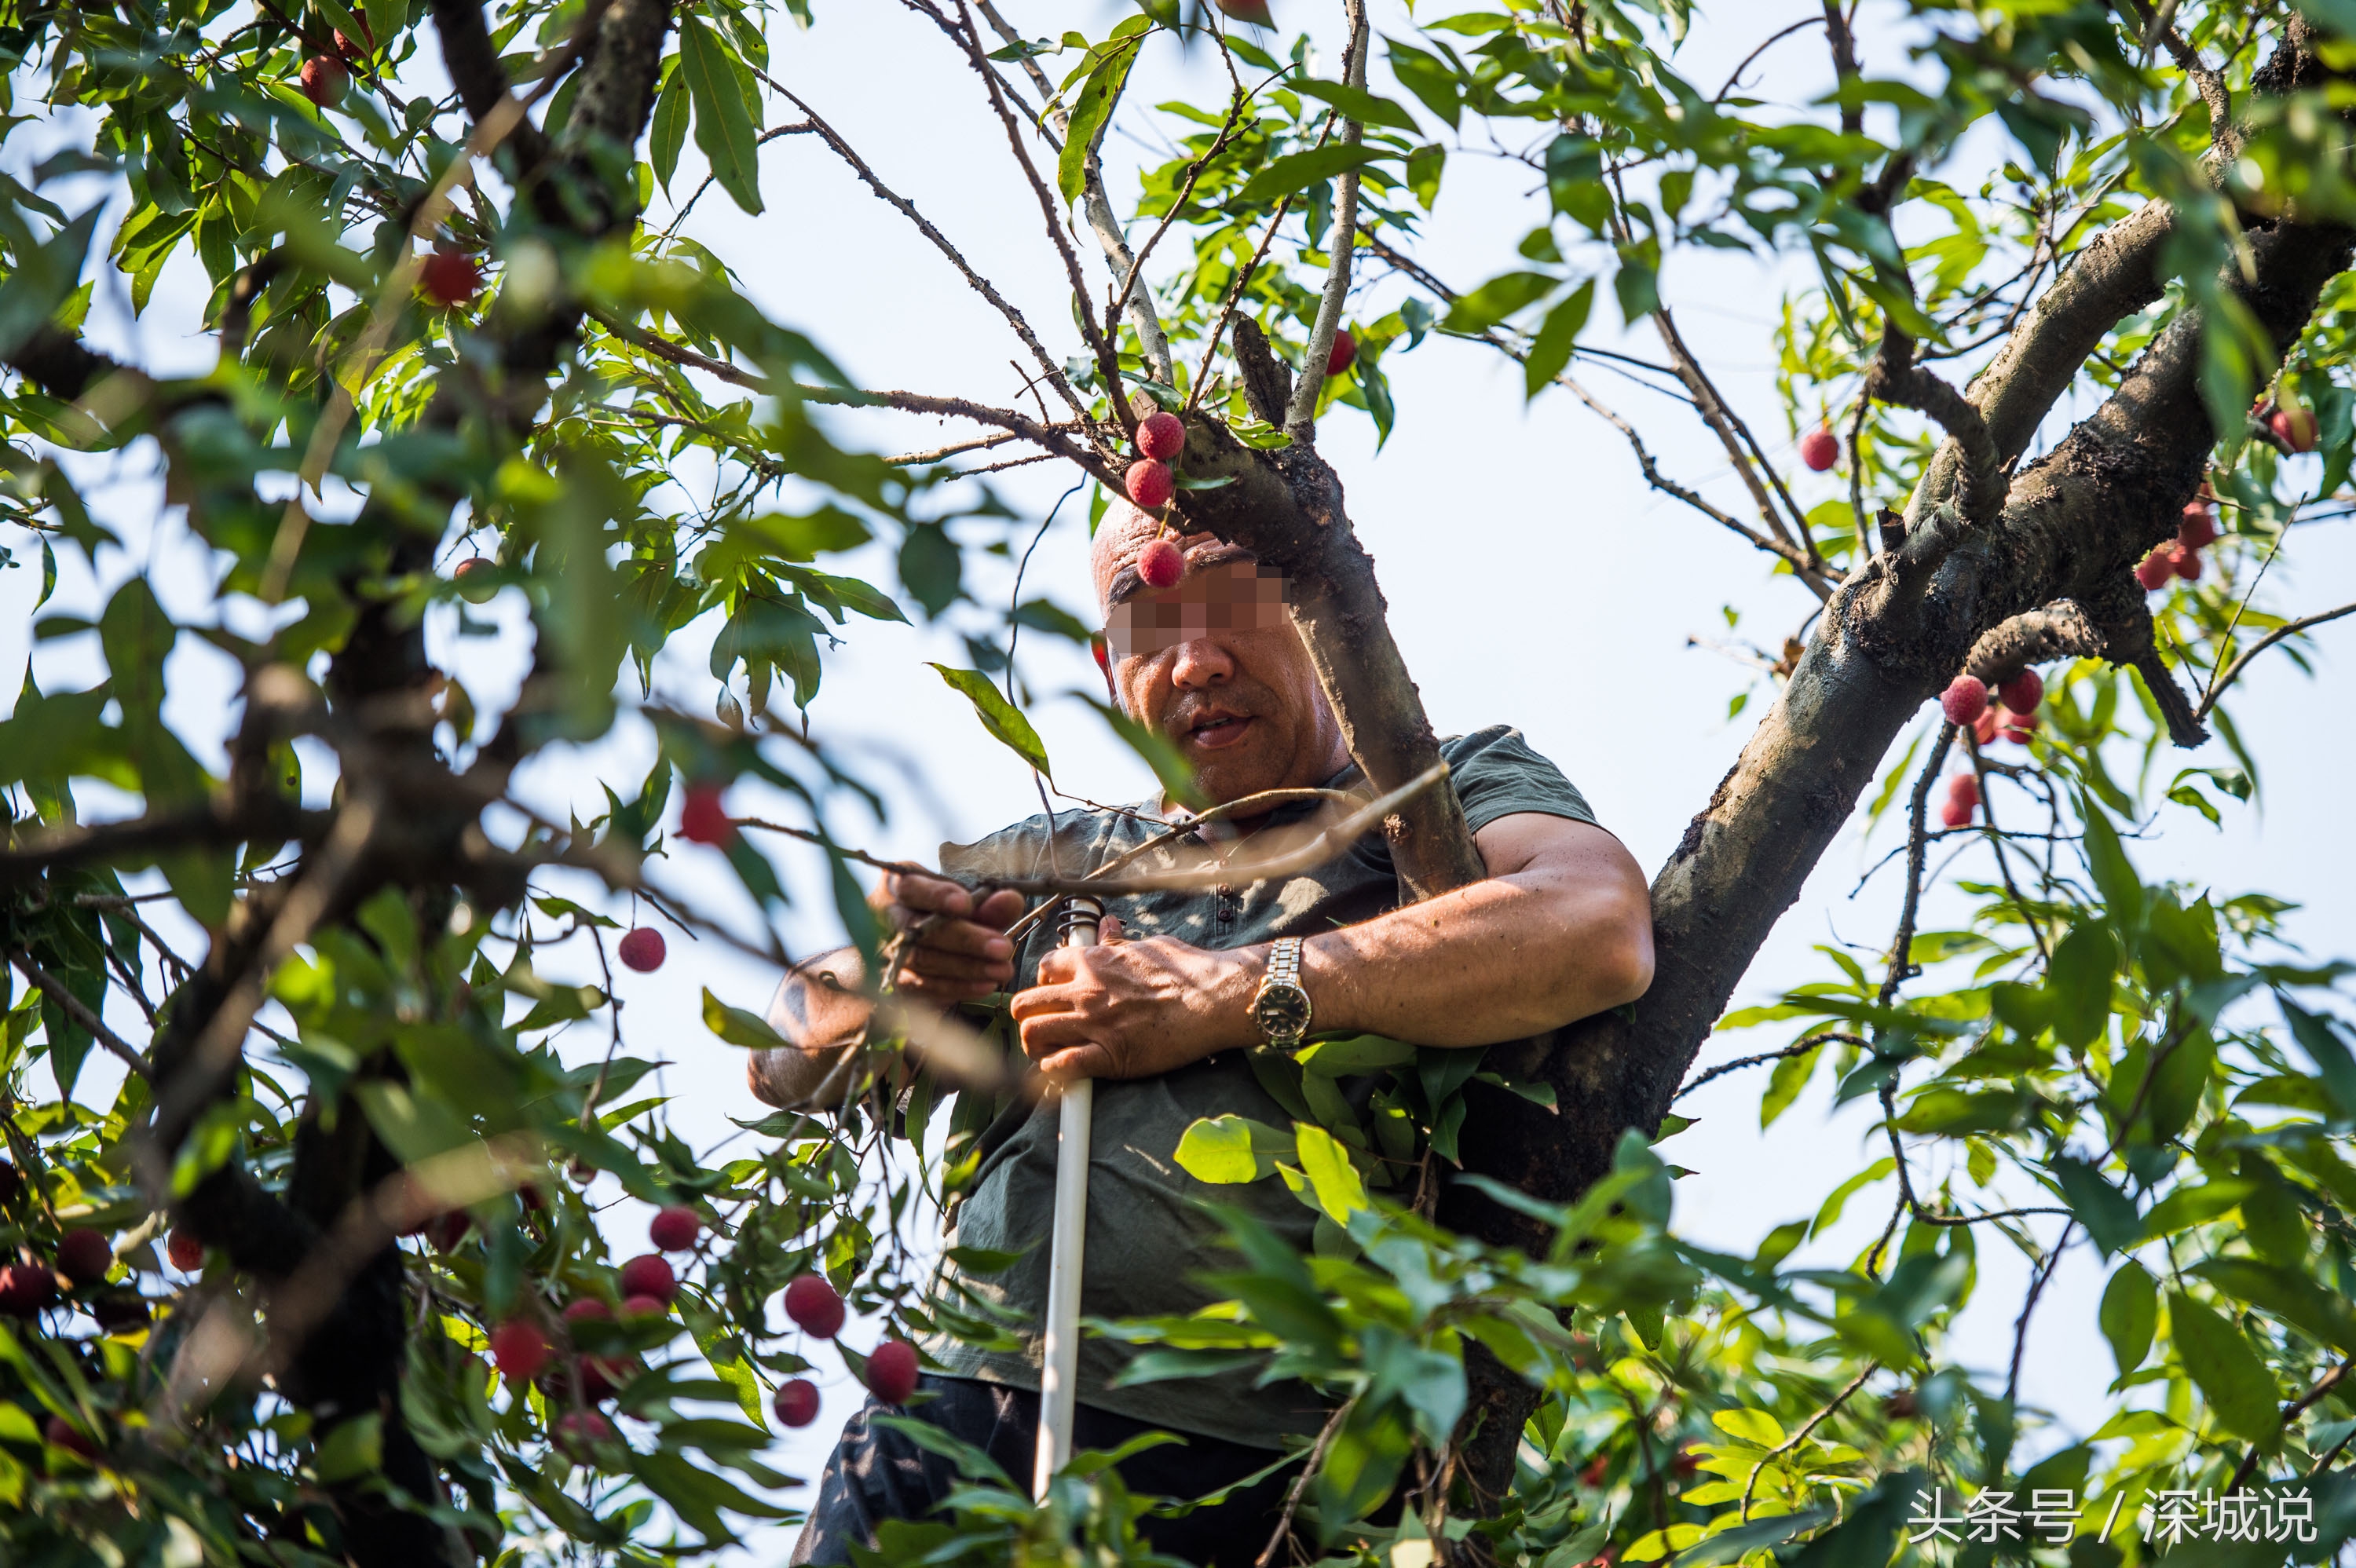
{"points": [[1137, 1009]]}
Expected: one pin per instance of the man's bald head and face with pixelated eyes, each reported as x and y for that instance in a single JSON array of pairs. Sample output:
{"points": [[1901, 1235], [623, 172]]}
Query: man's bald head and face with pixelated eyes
{"points": [[1217, 665]]}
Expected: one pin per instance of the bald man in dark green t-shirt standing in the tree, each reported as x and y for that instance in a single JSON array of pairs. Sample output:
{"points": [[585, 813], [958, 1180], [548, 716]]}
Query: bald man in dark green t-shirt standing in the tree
{"points": [[1172, 1002]]}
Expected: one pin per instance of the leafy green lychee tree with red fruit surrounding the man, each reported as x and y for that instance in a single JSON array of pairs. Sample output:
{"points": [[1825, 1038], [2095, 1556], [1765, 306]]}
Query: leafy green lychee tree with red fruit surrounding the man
{"points": [[322, 1280]]}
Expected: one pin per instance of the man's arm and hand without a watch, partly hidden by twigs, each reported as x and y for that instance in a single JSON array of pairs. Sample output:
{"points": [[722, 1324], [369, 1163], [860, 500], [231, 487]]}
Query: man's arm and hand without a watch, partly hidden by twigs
{"points": [[823, 1004]]}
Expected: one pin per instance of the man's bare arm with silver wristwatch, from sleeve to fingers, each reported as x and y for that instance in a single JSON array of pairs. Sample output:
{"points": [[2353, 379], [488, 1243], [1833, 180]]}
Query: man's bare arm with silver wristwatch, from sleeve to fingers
{"points": [[1558, 931]]}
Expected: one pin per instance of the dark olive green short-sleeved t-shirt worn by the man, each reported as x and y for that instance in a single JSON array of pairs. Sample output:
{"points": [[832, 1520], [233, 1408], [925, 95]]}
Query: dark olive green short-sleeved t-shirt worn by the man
{"points": [[1149, 1235]]}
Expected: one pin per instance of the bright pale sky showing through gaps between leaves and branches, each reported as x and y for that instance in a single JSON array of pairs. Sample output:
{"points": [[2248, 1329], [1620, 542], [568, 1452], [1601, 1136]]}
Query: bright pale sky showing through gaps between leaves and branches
{"points": [[1533, 580]]}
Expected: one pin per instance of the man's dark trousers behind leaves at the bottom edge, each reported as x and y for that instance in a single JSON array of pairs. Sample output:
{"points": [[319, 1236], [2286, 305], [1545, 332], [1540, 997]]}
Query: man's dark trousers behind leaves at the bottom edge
{"points": [[880, 1475]]}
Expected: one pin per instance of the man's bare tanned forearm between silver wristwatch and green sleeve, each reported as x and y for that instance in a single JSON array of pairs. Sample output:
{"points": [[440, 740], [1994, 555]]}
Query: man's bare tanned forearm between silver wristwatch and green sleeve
{"points": [[1502, 959]]}
